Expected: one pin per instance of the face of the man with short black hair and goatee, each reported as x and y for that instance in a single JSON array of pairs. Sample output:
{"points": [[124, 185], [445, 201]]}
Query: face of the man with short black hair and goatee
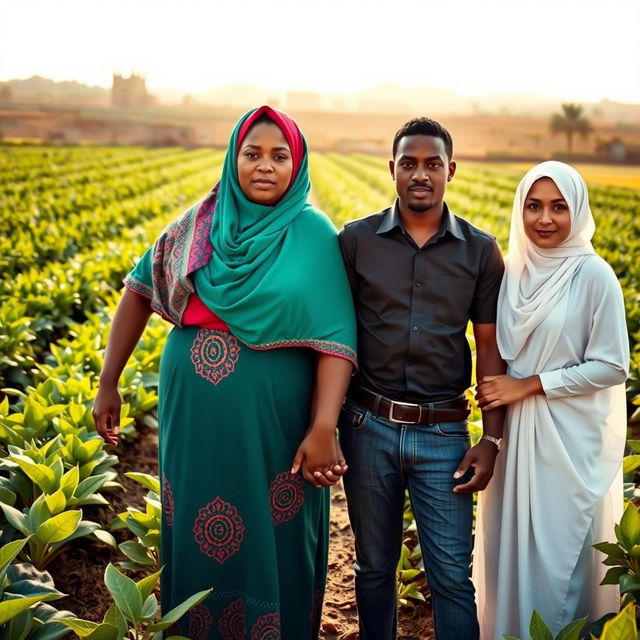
{"points": [[421, 171]]}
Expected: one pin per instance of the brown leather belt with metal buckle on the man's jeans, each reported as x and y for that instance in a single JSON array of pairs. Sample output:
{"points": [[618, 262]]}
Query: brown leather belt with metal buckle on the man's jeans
{"points": [[408, 413]]}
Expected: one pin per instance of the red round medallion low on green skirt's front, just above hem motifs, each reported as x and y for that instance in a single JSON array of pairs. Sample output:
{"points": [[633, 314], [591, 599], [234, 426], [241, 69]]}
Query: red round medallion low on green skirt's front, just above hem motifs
{"points": [[219, 530]]}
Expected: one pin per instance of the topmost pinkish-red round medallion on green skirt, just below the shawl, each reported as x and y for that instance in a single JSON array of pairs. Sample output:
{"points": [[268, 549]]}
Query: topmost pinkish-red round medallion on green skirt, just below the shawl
{"points": [[214, 354]]}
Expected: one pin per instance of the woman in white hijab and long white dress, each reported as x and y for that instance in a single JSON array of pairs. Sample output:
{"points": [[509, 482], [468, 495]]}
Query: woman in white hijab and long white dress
{"points": [[557, 486]]}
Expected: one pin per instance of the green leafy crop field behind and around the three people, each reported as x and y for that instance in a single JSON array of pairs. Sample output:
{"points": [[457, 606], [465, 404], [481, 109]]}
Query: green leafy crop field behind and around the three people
{"points": [[72, 222]]}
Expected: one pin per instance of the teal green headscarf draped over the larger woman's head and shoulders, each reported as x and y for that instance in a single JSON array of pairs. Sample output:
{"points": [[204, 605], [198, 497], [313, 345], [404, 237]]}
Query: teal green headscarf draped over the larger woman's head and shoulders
{"points": [[275, 273]]}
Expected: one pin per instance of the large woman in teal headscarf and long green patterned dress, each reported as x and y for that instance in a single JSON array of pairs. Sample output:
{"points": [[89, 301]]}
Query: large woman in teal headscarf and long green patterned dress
{"points": [[252, 379]]}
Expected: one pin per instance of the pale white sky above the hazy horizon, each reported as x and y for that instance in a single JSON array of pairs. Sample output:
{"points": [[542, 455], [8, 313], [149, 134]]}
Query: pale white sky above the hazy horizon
{"points": [[583, 50]]}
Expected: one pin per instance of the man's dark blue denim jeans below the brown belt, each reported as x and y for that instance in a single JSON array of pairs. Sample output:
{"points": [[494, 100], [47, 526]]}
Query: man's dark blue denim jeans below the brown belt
{"points": [[384, 459]]}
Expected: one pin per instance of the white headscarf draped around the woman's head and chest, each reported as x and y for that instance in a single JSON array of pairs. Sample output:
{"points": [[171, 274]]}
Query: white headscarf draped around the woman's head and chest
{"points": [[537, 279]]}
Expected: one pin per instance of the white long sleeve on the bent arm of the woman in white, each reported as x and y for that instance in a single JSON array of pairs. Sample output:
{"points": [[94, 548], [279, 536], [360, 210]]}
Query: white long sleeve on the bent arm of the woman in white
{"points": [[606, 357]]}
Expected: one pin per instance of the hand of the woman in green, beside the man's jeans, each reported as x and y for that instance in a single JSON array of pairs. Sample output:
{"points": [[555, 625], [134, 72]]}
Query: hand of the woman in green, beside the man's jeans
{"points": [[320, 458]]}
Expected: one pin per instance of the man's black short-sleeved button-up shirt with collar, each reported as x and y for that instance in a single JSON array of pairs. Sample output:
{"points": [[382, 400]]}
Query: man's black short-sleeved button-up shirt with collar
{"points": [[413, 304]]}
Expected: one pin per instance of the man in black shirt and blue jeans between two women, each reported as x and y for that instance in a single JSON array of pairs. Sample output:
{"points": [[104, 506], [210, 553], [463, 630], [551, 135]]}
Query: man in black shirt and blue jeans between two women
{"points": [[418, 274]]}
